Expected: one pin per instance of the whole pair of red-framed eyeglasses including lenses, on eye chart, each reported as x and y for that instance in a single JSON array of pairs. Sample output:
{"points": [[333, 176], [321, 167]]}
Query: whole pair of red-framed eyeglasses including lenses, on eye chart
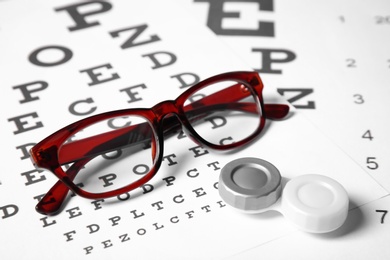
{"points": [[115, 152]]}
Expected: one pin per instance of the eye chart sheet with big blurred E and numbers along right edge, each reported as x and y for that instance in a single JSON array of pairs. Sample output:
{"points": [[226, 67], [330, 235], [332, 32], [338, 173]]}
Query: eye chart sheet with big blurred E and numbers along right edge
{"points": [[331, 60]]}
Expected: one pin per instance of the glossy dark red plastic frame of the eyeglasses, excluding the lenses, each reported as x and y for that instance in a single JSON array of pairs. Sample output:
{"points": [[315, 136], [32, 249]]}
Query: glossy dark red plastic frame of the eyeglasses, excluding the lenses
{"points": [[45, 154]]}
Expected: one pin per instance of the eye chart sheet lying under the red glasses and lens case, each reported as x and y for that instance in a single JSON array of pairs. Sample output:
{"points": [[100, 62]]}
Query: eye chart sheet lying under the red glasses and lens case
{"points": [[64, 61]]}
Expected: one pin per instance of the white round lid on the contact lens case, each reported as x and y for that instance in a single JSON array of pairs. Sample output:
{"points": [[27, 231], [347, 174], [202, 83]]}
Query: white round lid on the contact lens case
{"points": [[315, 203]]}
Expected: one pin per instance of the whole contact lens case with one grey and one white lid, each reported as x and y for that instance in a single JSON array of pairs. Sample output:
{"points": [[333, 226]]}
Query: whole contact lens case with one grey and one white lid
{"points": [[314, 203]]}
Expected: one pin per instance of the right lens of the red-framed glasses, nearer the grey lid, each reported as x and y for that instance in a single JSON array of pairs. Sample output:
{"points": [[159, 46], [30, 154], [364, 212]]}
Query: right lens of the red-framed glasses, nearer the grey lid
{"points": [[224, 113]]}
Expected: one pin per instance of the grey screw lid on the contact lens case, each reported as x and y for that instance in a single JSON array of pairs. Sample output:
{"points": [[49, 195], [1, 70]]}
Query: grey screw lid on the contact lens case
{"points": [[250, 184]]}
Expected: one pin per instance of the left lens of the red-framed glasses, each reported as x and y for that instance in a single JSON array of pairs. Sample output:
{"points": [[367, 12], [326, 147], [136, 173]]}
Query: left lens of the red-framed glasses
{"points": [[117, 152]]}
